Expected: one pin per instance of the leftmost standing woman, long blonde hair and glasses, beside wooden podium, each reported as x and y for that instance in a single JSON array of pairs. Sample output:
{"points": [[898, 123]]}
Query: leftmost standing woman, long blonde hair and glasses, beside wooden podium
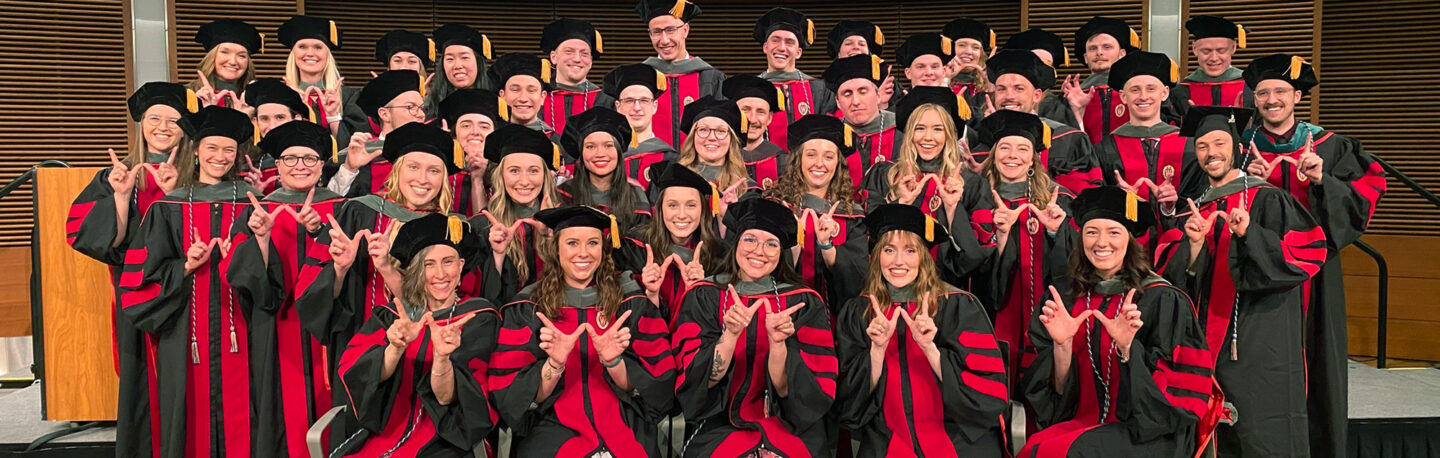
{"points": [[102, 224]]}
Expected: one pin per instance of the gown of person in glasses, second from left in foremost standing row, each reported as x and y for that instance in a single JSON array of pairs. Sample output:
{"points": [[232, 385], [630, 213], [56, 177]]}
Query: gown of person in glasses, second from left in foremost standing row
{"points": [[287, 362]]}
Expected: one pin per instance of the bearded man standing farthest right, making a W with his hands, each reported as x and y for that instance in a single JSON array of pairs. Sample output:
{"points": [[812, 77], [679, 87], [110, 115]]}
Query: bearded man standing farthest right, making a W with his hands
{"points": [[1334, 178]]}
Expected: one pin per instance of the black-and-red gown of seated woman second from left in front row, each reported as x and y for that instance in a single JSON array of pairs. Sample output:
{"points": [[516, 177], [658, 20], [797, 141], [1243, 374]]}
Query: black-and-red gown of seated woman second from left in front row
{"points": [[587, 414]]}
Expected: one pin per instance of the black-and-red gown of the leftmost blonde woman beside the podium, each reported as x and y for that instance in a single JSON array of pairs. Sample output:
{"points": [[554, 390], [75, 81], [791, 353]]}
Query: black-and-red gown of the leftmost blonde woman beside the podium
{"points": [[90, 228]]}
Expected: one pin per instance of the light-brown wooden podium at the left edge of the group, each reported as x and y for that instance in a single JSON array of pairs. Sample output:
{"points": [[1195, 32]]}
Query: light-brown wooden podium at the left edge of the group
{"points": [[74, 312]]}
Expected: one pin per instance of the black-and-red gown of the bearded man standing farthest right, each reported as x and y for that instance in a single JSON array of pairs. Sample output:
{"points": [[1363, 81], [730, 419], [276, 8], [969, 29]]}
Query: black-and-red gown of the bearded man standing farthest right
{"points": [[1343, 205]]}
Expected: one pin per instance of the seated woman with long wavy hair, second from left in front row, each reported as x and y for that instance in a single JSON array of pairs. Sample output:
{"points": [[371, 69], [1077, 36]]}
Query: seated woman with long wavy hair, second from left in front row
{"points": [[582, 365]]}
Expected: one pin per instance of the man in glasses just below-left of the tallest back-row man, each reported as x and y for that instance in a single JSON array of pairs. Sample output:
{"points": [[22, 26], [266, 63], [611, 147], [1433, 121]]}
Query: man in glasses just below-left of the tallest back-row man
{"points": [[637, 90]]}
